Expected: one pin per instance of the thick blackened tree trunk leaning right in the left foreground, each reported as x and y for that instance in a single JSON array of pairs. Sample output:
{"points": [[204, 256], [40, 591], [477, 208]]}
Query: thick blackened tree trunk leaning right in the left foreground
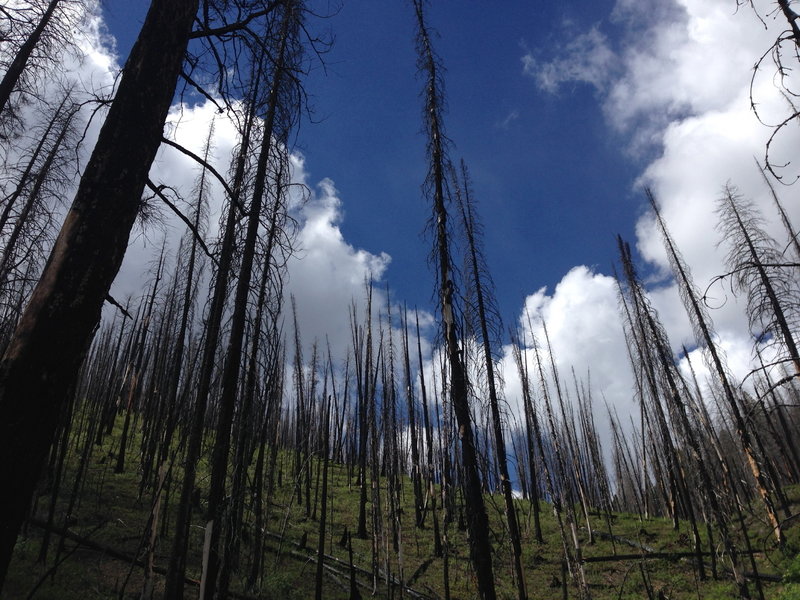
{"points": [[35, 374]]}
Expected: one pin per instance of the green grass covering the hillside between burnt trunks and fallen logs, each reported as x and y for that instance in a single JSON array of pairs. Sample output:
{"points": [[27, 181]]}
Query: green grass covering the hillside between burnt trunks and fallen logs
{"points": [[110, 514]]}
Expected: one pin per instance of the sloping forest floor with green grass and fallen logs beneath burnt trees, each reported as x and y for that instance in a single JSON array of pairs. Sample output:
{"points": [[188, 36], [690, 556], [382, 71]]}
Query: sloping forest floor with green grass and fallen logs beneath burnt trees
{"points": [[99, 550]]}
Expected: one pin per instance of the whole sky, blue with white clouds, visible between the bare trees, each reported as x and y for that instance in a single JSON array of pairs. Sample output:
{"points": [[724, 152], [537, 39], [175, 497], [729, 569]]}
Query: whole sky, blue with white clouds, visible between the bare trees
{"points": [[563, 113]]}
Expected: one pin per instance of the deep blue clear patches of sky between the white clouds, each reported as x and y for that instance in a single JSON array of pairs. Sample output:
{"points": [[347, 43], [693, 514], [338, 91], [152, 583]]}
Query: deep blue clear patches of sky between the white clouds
{"points": [[553, 184]]}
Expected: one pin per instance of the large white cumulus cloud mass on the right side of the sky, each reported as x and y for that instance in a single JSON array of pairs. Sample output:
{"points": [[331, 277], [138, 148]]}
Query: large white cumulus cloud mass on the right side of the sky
{"points": [[681, 92]]}
